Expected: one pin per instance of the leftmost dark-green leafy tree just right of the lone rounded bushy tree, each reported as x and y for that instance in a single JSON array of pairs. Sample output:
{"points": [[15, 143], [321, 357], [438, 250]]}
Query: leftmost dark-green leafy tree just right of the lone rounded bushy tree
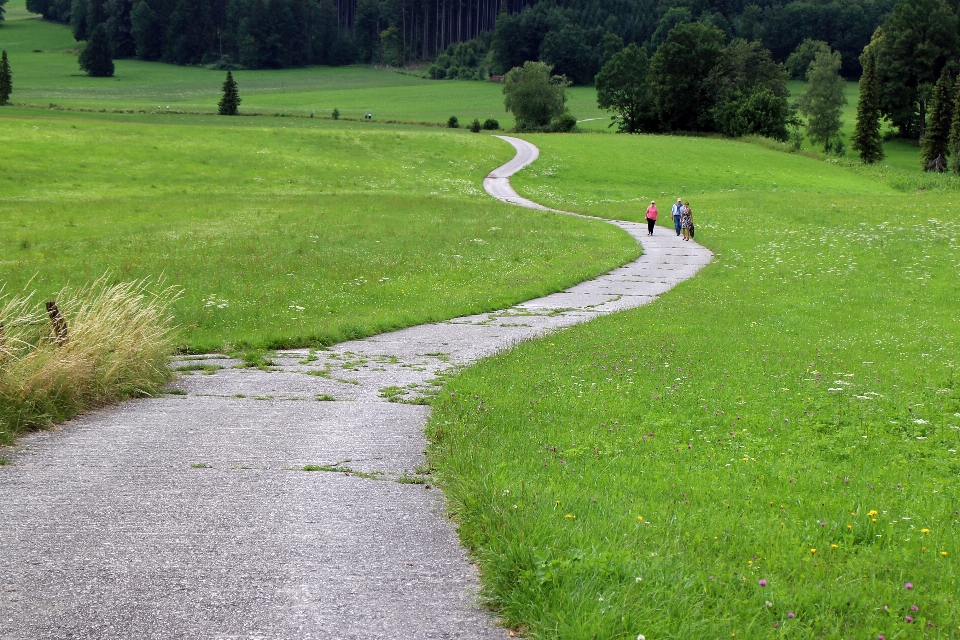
{"points": [[622, 87]]}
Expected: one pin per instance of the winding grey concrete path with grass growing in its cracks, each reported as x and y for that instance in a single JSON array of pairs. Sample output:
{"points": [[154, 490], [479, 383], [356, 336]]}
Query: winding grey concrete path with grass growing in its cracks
{"points": [[190, 515]]}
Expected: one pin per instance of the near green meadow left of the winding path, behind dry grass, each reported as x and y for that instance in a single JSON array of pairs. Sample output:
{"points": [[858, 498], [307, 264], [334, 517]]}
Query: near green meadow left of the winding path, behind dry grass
{"points": [[281, 231]]}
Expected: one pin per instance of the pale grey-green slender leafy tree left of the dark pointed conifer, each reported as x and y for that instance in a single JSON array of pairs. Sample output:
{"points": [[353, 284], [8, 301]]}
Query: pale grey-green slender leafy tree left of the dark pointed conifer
{"points": [[823, 102]]}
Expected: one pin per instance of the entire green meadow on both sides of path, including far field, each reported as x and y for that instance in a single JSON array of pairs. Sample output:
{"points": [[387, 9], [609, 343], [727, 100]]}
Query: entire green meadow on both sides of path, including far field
{"points": [[767, 451]]}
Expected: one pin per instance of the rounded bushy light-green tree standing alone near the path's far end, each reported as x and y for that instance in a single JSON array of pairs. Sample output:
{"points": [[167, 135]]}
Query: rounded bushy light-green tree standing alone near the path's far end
{"points": [[533, 95]]}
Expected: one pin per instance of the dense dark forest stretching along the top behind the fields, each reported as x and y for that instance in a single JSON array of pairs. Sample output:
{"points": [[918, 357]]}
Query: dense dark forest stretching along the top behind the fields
{"points": [[575, 36]]}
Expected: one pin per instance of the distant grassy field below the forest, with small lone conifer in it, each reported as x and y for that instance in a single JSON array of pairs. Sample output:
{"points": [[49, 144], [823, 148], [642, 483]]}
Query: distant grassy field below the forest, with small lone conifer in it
{"points": [[43, 56]]}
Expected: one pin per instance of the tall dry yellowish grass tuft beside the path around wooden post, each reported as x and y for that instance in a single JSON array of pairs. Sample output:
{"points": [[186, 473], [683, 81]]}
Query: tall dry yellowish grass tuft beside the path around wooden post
{"points": [[118, 340]]}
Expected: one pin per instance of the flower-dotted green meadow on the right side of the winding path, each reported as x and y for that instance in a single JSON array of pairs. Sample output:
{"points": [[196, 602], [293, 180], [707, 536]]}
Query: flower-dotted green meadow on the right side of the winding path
{"points": [[768, 451]]}
